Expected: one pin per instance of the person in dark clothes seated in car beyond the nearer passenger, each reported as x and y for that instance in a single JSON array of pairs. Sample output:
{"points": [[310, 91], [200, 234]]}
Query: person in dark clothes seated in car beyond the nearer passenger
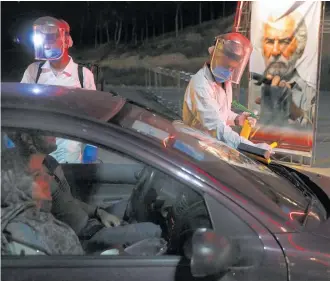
{"points": [[97, 228]]}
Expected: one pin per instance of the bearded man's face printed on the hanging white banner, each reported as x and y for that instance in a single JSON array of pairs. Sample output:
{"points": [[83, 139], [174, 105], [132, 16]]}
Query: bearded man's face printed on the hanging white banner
{"points": [[280, 46]]}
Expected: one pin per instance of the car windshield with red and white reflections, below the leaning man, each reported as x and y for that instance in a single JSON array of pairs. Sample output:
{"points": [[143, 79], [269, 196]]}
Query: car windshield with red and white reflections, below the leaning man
{"points": [[249, 183]]}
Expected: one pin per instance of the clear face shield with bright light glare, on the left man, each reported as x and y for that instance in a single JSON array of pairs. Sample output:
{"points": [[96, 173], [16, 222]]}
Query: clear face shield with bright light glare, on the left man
{"points": [[48, 40]]}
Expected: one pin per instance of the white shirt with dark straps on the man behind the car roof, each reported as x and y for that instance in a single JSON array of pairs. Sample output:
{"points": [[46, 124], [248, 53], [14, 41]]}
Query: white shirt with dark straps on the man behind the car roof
{"points": [[67, 150]]}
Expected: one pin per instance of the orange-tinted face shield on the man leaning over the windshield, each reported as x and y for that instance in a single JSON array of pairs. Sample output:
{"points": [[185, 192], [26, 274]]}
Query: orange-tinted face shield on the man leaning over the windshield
{"points": [[230, 56]]}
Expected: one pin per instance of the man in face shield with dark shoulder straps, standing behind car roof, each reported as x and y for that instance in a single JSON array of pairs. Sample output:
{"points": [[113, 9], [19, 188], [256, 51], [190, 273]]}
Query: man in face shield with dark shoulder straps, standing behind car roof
{"points": [[52, 41]]}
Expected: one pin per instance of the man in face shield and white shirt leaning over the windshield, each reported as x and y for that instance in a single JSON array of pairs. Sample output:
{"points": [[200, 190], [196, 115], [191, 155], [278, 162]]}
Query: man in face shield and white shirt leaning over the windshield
{"points": [[208, 97]]}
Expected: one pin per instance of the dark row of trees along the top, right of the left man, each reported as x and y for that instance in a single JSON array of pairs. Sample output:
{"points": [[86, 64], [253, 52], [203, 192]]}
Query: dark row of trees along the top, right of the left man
{"points": [[138, 22]]}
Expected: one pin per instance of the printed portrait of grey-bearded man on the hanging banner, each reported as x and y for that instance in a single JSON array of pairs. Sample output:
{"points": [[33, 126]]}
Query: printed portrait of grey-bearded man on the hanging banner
{"points": [[283, 43]]}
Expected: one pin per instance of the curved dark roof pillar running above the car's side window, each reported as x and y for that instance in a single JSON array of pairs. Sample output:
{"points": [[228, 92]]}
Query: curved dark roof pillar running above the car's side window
{"points": [[107, 135]]}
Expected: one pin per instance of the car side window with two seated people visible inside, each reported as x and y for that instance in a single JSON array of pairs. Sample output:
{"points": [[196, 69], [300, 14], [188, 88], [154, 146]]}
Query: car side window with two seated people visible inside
{"points": [[112, 206]]}
